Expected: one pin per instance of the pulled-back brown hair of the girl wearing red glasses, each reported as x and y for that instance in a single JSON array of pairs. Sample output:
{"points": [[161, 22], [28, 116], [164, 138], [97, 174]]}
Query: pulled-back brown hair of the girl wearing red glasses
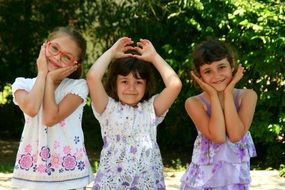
{"points": [[79, 40]]}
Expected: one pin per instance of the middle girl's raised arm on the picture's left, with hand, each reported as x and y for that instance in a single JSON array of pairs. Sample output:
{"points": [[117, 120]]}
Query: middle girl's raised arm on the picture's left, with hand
{"points": [[96, 72]]}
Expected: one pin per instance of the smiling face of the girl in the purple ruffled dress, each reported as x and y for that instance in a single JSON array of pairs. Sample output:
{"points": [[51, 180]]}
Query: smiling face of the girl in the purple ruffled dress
{"points": [[218, 74]]}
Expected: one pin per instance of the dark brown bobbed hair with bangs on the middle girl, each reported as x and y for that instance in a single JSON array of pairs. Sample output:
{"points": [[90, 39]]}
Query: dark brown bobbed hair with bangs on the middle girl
{"points": [[124, 66]]}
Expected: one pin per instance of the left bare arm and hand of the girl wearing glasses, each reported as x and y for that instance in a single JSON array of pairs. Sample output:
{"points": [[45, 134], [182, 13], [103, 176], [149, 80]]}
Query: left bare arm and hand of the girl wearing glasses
{"points": [[30, 102]]}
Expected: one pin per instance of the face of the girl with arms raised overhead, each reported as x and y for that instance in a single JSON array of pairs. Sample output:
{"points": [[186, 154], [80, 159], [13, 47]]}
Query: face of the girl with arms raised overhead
{"points": [[130, 90]]}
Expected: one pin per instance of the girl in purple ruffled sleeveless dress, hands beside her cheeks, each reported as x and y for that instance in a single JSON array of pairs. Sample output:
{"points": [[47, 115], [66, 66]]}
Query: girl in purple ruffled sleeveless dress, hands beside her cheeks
{"points": [[222, 115]]}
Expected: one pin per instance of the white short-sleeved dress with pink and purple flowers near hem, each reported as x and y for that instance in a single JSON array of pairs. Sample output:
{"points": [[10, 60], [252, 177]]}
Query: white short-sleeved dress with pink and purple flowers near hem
{"points": [[52, 157]]}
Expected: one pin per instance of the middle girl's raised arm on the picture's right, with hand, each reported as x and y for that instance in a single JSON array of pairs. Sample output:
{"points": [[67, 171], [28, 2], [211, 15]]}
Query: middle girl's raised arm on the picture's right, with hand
{"points": [[171, 81]]}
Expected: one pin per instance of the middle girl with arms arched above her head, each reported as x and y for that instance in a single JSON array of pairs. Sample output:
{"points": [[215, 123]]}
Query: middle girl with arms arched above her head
{"points": [[129, 112]]}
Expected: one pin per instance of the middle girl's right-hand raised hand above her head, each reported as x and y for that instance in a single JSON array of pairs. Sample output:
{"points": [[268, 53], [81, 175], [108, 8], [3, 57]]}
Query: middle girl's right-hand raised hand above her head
{"points": [[146, 50]]}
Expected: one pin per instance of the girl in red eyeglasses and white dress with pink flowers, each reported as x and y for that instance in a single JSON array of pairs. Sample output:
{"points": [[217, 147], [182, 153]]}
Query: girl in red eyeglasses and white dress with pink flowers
{"points": [[51, 153]]}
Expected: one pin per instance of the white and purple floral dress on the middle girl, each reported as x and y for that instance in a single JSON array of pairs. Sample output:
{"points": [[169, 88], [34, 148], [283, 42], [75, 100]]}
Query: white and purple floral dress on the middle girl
{"points": [[130, 158]]}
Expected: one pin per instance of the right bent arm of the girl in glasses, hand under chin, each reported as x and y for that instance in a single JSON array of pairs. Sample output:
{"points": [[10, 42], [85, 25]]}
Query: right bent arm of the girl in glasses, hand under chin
{"points": [[56, 112]]}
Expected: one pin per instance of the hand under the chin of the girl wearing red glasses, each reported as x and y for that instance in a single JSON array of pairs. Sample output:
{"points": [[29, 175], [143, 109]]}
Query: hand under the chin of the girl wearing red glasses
{"points": [[57, 75]]}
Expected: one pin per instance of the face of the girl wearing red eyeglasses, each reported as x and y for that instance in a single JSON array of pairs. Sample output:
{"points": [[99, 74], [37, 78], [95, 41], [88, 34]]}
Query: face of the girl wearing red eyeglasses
{"points": [[61, 52]]}
